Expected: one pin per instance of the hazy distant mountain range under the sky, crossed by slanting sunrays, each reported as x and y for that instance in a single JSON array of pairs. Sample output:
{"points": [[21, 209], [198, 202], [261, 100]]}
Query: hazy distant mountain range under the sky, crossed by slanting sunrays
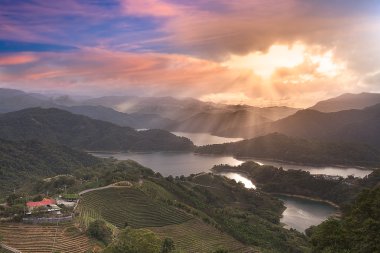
{"points": [[150, 112]]}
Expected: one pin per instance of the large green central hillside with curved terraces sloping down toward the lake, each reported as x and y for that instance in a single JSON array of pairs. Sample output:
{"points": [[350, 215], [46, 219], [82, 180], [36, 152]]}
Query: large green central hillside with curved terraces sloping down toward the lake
{"points": [[190, 208]]}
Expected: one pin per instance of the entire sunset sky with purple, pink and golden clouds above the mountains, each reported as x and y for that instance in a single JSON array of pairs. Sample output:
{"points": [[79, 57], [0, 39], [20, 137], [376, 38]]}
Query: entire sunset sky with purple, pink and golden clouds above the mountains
{"points": [[257, 52]]}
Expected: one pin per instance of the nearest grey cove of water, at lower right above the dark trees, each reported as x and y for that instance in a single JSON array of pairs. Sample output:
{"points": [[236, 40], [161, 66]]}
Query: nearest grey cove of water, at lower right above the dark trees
{"points": [[303, 213]]}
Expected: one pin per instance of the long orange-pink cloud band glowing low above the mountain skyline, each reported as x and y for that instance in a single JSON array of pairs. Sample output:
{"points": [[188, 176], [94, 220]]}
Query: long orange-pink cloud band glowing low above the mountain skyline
{"points": [[99, 71]]}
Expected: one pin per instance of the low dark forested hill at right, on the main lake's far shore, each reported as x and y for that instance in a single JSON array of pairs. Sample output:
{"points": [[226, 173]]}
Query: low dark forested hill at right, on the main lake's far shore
{"points": [[281, 147]]}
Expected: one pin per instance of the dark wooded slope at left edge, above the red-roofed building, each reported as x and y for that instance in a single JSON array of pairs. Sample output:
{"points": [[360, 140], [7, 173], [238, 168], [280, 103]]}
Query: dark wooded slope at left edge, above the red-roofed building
{"points": [[21, 162]]}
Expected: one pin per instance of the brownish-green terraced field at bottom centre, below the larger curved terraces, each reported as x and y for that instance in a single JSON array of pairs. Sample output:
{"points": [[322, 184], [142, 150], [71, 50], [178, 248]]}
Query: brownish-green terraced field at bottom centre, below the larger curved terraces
{"points": [[195, 236]]}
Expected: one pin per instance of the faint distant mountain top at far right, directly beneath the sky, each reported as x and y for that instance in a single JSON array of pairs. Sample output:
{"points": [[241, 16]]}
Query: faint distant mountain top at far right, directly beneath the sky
{"points": [[347, 101]]}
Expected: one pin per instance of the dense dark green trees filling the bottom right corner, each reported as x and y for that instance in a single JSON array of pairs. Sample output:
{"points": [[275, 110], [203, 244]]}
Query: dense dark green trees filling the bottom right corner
{"points": [[357, 230]]}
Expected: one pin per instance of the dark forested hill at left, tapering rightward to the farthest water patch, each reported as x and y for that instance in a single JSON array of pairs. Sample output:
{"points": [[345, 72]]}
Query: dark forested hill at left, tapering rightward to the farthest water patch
{"points": [[59, 126]]}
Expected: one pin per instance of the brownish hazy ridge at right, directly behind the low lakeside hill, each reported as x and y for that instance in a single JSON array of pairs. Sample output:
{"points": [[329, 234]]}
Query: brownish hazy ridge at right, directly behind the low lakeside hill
{"points": [[361, 126]]}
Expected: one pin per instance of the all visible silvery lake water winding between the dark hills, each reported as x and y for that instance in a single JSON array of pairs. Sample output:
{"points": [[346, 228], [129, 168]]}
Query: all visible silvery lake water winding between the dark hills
{"points": [[299, 214]]}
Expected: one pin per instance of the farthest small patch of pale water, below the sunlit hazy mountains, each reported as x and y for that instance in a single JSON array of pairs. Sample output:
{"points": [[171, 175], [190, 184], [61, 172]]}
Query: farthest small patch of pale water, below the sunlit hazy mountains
{"points": [[201, 139]]}
